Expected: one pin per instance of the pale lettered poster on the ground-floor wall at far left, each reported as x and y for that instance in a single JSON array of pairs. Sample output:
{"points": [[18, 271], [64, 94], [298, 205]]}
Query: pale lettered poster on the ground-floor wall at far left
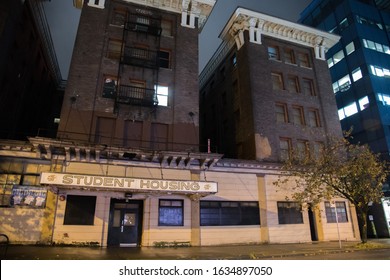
{"points": [[28, 196]]}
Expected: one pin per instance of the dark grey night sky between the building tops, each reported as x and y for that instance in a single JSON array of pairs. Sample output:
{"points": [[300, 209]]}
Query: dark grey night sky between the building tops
{"points": [[63, 20]]}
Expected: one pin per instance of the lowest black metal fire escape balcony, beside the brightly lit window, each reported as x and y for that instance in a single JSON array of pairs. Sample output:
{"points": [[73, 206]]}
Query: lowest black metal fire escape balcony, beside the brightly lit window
{"points": [[136, 96]]}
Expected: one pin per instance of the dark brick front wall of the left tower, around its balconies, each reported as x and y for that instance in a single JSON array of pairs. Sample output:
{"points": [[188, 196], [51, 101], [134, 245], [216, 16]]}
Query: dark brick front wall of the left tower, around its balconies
{"points": [[88, 116]]}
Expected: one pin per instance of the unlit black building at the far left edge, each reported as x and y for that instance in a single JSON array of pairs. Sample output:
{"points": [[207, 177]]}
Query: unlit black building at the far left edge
{"points": [[29, 72]]}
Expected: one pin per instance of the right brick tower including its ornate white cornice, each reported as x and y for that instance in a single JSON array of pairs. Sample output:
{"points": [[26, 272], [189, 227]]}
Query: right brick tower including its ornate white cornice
{"points": [[261, 99]]}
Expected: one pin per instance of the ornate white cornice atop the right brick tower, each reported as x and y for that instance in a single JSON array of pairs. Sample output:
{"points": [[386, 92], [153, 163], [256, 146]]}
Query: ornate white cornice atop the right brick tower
{"points": [[258, 24]]}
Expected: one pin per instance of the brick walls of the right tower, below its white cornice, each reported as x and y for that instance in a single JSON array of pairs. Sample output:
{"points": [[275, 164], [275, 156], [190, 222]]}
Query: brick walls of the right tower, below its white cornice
{"points": [[238, 102]]}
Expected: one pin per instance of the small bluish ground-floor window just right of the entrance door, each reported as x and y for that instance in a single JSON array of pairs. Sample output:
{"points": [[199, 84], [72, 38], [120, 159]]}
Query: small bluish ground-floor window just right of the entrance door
{"points": [[170, 212]]}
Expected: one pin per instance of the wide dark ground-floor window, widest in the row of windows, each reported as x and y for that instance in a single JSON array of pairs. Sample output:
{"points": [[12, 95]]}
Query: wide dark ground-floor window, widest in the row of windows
{"points": [[229, 213]]}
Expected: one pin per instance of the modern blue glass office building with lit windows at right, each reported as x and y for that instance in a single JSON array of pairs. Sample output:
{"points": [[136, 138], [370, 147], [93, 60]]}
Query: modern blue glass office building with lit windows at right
{"points": [[360, 70]]}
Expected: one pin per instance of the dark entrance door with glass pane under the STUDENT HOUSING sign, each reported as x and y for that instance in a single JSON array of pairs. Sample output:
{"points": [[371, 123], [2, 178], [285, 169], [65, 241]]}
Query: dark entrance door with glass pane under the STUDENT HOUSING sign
{"points": [[125, 224]]}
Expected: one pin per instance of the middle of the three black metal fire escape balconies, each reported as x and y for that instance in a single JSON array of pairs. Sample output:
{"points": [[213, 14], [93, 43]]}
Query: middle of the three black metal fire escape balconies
{"points": [[140, 57]]}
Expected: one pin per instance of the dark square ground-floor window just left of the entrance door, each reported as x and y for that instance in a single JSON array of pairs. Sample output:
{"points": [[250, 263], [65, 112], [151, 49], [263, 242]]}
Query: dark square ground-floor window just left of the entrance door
{"points": [[80, 210]]}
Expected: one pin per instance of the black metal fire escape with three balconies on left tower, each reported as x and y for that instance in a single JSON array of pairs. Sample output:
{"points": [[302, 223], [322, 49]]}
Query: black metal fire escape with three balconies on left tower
{"points": [[139, 62]]}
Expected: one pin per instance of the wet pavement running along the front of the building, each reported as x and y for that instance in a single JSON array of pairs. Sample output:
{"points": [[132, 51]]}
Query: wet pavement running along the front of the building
{"points": [[238, 252]]}
